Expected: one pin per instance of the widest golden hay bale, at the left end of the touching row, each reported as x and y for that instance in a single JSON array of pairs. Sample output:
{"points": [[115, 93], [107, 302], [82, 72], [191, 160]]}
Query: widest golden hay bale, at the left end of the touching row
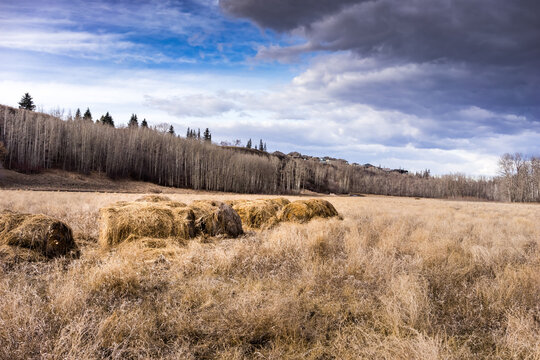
{"points": [[129, 221]]}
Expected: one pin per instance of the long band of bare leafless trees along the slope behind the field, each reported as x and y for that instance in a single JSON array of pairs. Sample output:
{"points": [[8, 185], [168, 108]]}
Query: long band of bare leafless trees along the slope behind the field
{"points": [[35, 141]]}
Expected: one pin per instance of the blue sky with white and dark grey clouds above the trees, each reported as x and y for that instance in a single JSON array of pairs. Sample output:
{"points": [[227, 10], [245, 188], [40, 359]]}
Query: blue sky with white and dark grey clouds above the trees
{"points": [[445, 85]]}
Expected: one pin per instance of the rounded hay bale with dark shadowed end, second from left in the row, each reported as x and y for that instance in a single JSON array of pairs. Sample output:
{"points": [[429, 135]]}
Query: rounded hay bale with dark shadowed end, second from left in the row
{"points": [[216, 218]]}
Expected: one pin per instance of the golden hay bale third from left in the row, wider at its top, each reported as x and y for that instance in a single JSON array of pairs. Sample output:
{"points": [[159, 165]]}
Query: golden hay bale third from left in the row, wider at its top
{"points": [[259, 214]]}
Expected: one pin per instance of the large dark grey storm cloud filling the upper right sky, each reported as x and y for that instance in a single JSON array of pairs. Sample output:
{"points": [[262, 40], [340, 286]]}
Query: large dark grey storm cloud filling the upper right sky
{"points": [[430, 58]]}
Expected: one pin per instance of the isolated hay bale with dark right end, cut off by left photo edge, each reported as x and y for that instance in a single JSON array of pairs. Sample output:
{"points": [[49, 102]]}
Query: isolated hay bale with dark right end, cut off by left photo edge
{"points": [[40, 233]]}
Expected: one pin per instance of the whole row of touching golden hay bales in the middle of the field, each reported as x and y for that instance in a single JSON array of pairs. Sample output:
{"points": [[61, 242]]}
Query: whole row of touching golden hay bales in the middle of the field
{"points": [[159, 217]]}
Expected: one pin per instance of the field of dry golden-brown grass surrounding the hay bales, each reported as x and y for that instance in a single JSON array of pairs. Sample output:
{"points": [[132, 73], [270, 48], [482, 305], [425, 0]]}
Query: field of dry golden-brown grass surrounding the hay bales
{"points": [[397, 278]]}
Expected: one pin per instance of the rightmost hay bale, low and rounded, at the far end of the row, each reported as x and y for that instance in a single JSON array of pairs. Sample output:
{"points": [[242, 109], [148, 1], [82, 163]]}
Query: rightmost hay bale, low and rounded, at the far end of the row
{"points": [[305, 210]]}
